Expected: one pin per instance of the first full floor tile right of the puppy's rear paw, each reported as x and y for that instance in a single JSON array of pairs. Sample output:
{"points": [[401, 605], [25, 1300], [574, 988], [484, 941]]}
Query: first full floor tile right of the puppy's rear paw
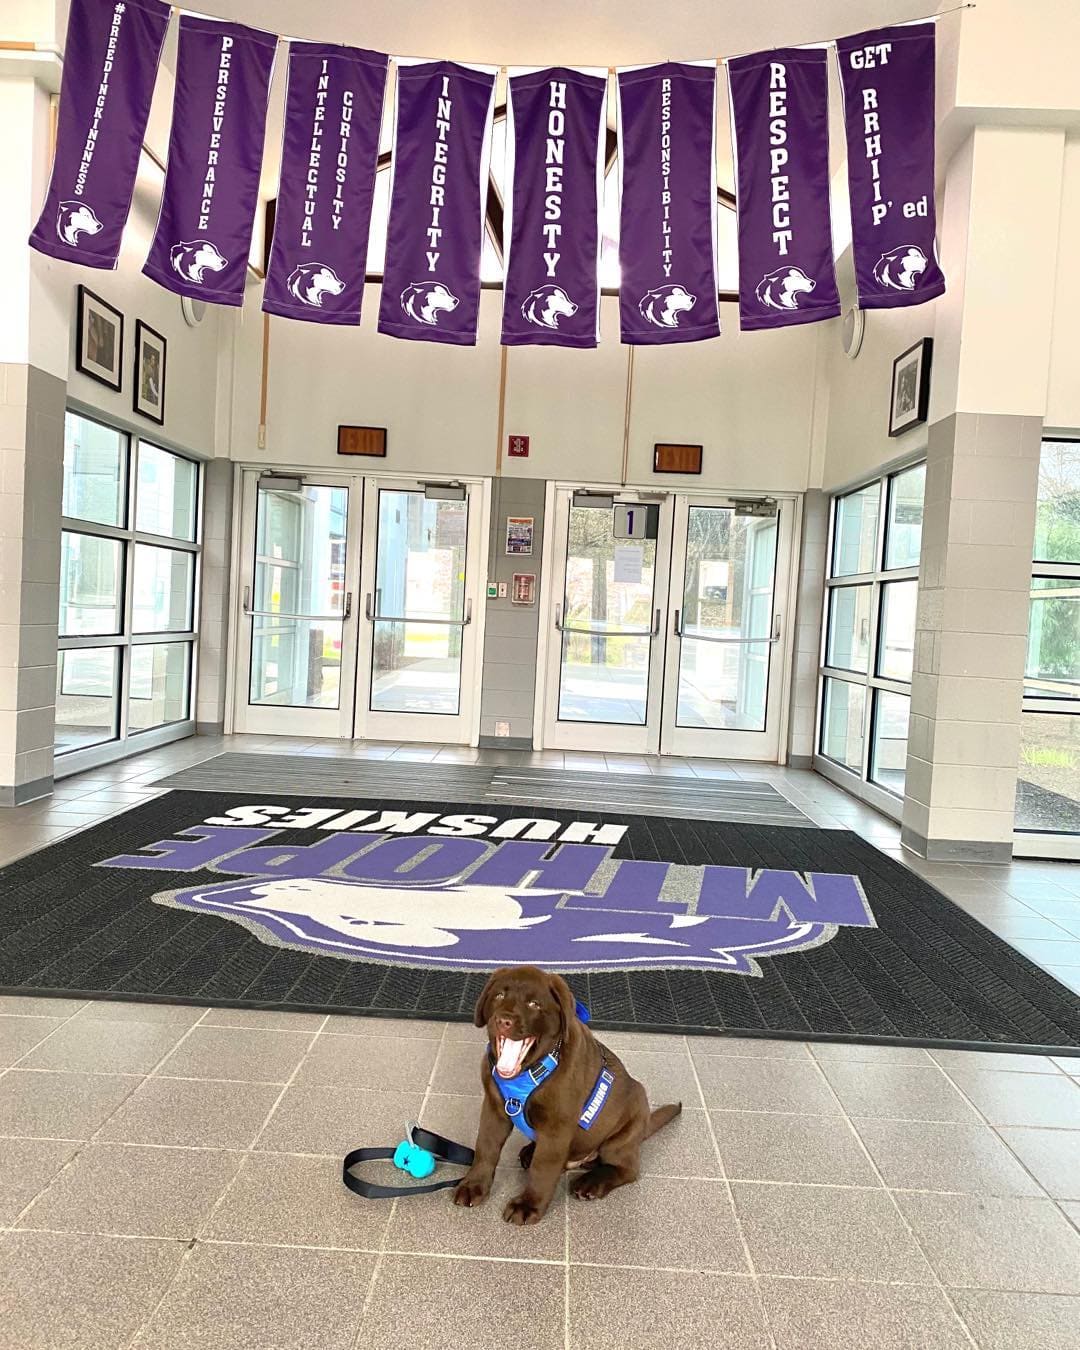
{"points": [[790, 1148]]}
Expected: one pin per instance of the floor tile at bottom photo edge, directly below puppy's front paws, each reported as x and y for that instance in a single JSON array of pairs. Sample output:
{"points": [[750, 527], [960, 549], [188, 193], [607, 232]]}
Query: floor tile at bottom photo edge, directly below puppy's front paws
{"points": [[427, 1305]]}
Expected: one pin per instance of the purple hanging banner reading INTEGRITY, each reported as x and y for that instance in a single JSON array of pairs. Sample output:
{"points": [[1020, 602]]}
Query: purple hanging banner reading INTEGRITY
{"points": [[431, 281]]}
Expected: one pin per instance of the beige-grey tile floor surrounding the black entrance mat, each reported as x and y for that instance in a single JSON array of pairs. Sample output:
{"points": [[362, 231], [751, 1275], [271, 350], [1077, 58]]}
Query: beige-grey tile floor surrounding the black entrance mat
{"points": [[169, 1177]]}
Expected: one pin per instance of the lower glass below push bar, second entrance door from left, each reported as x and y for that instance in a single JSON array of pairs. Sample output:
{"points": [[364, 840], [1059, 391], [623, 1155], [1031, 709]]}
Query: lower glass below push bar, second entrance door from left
{"points": [[416, 668]]}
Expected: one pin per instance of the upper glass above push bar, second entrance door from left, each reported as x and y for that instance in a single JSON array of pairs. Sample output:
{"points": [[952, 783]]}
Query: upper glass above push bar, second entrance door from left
{"points": [[421, 561]]}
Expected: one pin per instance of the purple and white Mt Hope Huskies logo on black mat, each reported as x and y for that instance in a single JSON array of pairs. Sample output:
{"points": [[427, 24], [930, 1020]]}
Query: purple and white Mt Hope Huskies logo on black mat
{"points": [[529, 894]]}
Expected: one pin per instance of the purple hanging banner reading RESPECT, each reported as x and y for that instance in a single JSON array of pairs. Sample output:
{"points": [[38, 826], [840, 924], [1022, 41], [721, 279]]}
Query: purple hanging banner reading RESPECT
{"points": [[781, 121]]}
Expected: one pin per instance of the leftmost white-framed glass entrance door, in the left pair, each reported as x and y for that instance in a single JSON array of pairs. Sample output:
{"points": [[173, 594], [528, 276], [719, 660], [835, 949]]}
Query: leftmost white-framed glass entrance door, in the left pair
{"points": [[298, 631]]}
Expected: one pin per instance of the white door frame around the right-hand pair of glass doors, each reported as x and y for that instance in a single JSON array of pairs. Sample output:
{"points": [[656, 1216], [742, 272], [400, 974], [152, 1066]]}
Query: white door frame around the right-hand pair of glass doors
{"points": [[550, 595]]}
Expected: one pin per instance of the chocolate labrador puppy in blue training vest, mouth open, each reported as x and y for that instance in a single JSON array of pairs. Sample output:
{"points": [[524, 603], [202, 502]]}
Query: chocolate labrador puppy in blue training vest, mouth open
{"points": [[566, 1091]]}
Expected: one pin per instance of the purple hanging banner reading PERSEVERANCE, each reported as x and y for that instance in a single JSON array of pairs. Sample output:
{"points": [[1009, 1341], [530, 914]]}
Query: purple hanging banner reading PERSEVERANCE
{"points": [[215, 159]]}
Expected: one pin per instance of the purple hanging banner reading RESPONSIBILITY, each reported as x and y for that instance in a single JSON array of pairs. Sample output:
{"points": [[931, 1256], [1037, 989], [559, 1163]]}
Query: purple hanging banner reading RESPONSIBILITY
{"points": [[668, 232]]}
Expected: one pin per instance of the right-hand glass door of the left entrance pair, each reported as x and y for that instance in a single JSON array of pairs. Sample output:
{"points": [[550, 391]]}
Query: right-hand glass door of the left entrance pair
{"points": [[419, 669]]}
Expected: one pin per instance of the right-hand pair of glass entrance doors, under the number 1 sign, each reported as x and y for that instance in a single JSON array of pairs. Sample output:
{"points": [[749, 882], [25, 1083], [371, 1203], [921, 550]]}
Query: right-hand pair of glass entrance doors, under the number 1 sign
{"points": [[672, 645]]}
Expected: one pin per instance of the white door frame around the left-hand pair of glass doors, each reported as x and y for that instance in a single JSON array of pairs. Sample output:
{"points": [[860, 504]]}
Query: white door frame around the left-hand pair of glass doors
{"points": [[357, 480]]}
